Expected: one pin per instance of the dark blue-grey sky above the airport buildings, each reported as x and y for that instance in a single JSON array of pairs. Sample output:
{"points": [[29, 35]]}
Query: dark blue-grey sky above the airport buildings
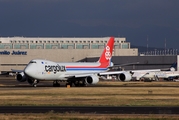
{"points": [[141, 22]]}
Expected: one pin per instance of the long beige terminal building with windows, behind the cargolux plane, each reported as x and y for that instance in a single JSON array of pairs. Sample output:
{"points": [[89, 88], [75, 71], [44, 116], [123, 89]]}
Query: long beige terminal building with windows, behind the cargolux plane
{"points": [[16, 52]]}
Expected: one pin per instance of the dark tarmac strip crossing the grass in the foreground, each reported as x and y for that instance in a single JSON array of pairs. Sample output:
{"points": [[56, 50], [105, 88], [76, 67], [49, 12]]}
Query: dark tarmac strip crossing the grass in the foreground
{"points": [[89, 110]]}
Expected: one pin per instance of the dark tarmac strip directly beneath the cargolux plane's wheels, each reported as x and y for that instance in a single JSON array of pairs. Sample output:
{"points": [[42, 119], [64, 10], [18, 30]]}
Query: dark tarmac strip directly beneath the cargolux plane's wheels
{"points": [[8, 82]]}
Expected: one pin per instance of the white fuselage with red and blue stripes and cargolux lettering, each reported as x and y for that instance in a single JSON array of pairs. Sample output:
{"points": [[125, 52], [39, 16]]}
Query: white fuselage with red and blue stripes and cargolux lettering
{"points": [[48, 70]]}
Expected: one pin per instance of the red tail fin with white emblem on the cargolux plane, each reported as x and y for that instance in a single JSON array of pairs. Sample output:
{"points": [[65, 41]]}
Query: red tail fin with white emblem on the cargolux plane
{"points": [[107, 52]]}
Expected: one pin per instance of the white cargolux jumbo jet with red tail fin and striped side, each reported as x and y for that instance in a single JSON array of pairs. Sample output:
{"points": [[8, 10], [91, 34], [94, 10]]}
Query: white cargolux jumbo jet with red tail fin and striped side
{"points": [[77, 73]]}
